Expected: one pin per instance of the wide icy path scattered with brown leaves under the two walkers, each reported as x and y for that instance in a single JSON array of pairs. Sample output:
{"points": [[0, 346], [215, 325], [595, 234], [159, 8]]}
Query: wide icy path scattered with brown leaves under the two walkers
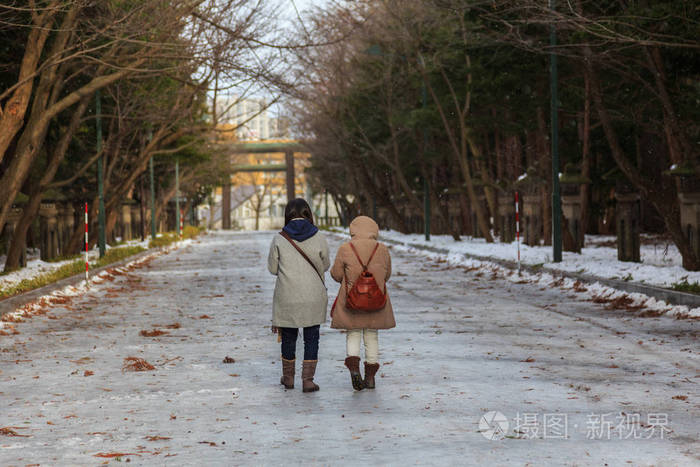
{"points": [[466, 345]]}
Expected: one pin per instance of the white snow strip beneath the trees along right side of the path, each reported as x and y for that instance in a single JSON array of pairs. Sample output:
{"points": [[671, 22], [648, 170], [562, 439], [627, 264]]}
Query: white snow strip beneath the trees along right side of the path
{"points": [[660, 266]]}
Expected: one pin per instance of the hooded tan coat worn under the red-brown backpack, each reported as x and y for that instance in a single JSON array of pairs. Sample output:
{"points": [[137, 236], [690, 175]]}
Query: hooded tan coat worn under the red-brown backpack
{"points": [[346, 269]]}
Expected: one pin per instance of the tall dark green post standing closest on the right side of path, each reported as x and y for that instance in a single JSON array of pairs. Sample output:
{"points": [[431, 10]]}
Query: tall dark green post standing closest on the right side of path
{"points": [[556, 189]]}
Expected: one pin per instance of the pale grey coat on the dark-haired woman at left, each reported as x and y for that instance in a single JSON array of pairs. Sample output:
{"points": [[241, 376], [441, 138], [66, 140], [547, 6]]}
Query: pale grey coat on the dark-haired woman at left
{"points": [[301, 298]]}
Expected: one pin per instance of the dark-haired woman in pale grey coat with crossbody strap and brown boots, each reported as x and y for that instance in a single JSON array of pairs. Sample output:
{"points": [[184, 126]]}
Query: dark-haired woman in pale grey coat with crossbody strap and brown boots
{"points": [[299, 258]]}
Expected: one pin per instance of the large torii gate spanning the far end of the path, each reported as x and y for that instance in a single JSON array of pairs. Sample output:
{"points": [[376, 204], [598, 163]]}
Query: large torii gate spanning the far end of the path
{"points": [[260, 148]]}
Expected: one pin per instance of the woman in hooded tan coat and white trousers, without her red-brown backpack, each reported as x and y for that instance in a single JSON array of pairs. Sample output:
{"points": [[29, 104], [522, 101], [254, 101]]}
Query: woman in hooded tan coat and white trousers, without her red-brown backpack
{"points": [[361, 324]]}
